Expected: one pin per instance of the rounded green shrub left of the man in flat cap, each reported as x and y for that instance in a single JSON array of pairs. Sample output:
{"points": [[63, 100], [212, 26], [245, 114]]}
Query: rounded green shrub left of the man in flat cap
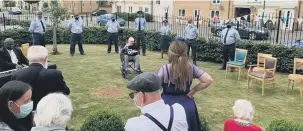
{"points": [[103, 121]]}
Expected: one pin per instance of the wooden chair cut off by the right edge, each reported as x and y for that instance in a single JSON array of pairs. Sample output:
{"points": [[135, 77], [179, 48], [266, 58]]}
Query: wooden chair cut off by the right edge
{"points": [[298, 65]]}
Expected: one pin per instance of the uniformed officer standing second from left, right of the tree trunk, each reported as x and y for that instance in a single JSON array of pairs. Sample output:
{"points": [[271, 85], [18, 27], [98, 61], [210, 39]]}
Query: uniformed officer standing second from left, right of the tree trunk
{"points": [[76, 27]]}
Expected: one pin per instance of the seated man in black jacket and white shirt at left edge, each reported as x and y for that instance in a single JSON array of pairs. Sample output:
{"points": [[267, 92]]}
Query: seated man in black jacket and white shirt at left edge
{"points": [[11, 57]]}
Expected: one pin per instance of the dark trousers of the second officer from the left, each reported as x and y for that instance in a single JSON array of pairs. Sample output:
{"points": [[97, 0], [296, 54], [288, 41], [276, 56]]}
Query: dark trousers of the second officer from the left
{"points": [[76, 39]]}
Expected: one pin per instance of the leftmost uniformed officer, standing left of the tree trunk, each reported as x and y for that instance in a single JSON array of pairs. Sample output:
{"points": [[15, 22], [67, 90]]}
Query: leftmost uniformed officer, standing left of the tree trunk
{"points": [[37, 29]]}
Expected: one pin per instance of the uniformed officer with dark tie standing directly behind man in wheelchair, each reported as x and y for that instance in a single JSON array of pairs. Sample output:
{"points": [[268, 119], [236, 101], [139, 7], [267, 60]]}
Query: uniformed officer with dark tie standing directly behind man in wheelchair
{"points": [[140, 26]]}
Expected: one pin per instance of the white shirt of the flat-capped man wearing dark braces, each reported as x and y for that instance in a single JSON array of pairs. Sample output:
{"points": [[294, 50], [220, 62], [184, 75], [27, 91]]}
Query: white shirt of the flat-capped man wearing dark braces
{"points": [[160, 111]]}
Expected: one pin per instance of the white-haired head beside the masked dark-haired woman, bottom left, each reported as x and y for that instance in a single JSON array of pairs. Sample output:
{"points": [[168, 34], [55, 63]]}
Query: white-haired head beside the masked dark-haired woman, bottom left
{"points": [[53, 109]]}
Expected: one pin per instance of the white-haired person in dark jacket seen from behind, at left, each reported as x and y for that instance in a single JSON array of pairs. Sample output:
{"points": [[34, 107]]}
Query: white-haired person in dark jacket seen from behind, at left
{"points": [[42, 80]]}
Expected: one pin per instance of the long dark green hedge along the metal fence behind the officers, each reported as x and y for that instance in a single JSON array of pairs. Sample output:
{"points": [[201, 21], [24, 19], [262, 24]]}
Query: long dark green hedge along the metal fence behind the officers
{"points": [[207, 50]]}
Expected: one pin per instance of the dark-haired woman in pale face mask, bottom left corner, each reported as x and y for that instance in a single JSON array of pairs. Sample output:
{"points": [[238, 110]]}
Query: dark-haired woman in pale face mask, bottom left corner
{"points": [[15, 105]]}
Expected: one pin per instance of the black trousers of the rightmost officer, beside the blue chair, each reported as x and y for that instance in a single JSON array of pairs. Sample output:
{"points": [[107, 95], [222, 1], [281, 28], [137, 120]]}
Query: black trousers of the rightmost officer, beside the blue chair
{"points": [[228, 53]]}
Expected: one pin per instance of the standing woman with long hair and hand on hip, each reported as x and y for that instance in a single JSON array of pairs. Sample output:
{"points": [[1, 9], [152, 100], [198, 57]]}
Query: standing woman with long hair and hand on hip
{"points": [[177, 78]]}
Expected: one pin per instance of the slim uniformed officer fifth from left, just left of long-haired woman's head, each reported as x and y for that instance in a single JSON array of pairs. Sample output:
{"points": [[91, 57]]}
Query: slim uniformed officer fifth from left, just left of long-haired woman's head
{"points": [[165, 37]]}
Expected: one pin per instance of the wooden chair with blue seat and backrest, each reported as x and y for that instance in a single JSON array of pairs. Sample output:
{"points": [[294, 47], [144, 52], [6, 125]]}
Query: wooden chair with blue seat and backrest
{"points": [[238, 63]]}
